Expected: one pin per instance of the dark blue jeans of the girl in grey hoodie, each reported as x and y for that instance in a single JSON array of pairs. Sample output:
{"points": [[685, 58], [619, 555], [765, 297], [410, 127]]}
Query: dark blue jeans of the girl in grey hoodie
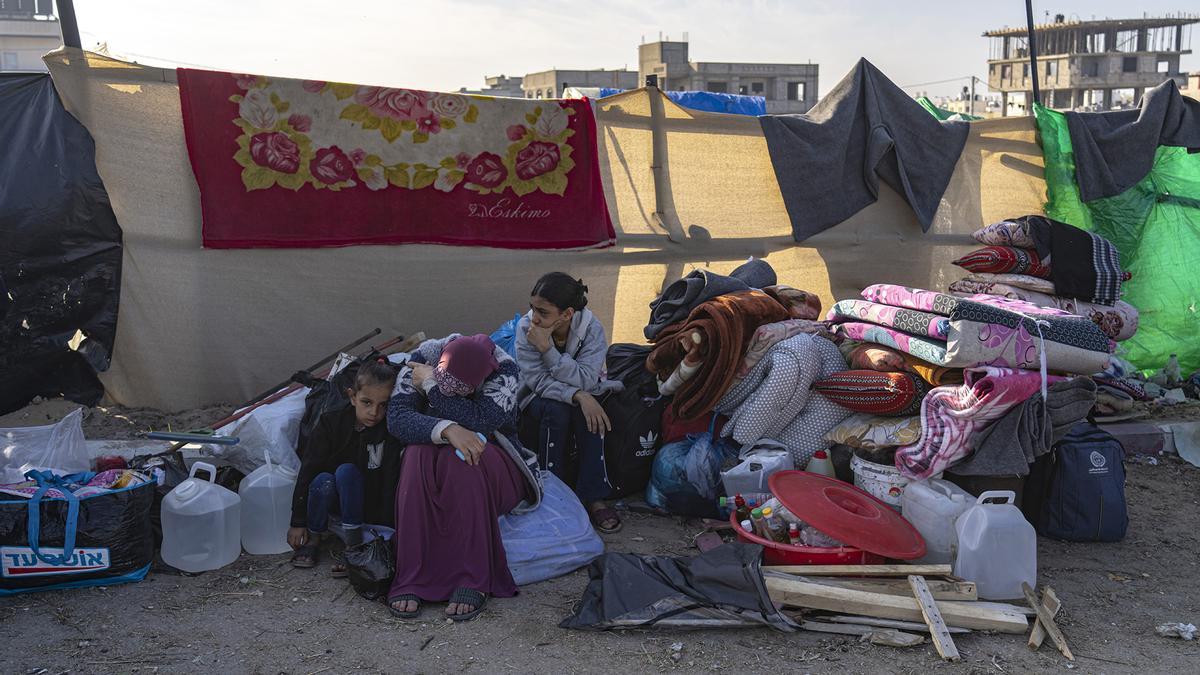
{"points": [[561, 427]]}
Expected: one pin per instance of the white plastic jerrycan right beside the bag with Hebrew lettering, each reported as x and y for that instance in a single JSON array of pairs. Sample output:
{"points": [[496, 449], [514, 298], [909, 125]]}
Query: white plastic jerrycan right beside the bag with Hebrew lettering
{"points": [[201, 524]]}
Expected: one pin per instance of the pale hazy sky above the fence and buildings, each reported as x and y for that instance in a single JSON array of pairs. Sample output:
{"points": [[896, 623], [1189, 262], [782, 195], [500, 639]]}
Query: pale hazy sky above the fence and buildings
{"points": [[451, 44]]}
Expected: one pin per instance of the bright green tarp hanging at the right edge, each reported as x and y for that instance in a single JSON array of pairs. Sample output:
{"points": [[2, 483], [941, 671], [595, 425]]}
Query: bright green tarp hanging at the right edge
{"points": [[1156, 226]]}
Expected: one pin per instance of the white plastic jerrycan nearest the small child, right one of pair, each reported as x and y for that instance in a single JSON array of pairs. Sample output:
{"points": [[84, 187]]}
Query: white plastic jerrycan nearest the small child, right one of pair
{"points": [[267, 507]]}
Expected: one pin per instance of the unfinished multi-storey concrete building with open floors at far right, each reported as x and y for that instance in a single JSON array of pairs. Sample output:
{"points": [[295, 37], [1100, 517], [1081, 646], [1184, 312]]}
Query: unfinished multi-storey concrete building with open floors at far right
{"points": [[1090, 65]]}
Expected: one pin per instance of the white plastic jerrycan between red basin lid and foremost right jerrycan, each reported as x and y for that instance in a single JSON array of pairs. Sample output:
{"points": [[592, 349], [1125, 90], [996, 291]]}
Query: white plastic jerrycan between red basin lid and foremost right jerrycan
{"points": [[933, 507]]}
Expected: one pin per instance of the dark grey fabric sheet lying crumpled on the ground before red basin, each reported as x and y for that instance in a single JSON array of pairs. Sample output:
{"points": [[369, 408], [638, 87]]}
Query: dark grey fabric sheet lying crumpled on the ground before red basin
{"points": [[723, 588]]}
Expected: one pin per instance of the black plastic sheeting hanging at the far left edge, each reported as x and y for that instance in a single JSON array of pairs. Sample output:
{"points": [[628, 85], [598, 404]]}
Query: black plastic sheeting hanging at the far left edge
{"points": [[61, 250]]}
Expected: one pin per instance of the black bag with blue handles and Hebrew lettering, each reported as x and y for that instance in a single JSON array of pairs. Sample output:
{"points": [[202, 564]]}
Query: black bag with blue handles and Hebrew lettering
{"points": [[112, 540]]}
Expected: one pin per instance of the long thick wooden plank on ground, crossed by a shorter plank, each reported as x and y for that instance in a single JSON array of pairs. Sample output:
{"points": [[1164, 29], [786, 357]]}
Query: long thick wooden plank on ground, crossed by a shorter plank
{"points": [[849, 601]]}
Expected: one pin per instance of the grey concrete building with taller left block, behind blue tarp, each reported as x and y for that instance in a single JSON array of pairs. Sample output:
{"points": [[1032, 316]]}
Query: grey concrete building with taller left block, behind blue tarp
{"points": [[788, 88]]}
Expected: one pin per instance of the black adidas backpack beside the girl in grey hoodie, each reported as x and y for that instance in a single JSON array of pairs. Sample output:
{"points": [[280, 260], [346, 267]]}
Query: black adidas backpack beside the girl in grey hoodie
{"points": [[637, 437]]}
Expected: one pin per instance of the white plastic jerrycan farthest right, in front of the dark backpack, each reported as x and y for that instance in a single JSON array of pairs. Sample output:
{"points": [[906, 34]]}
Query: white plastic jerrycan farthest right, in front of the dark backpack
{"points": [[998, 547]]}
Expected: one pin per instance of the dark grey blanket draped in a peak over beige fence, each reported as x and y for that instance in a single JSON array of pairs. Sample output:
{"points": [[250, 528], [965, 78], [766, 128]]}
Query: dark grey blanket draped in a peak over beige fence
{"points": [[830, 160]]}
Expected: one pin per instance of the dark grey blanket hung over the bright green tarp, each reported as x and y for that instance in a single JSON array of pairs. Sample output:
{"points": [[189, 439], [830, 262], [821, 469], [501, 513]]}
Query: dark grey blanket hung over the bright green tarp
{"points": [[1114, 151]]}
